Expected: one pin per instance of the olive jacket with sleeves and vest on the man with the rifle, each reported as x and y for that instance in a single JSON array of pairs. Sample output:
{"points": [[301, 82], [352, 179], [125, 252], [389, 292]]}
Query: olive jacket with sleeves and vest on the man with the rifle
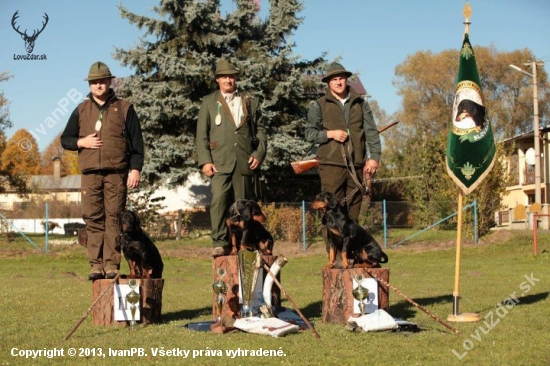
{"points": [[327, 113]]}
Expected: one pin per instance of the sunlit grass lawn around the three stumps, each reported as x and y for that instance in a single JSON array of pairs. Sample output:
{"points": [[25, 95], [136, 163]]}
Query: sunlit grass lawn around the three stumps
{"points": [[44, 296]]}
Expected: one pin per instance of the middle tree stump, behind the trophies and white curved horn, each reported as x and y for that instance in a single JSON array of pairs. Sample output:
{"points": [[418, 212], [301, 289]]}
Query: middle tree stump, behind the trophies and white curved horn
{"points": [[231, 306]]}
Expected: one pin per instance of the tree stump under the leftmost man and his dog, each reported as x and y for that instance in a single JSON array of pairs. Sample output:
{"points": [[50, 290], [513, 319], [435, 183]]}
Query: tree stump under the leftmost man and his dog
{"points": [[150, 292]]}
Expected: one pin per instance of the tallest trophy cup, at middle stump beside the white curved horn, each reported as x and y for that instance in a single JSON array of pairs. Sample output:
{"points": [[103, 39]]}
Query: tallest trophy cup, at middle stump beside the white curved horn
{"points": [[249, 263]]}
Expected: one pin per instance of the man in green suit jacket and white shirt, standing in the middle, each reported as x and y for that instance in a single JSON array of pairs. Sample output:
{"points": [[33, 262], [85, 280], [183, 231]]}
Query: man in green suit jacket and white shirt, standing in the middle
{"points": [[228, 120]]}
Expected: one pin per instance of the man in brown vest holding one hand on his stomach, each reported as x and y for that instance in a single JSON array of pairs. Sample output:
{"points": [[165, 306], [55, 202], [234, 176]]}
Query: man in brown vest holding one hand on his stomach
{"points": [[106, 133]]}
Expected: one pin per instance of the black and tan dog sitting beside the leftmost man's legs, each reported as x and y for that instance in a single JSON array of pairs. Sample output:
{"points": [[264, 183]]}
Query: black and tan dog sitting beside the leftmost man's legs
{"points": [[139, 250]]}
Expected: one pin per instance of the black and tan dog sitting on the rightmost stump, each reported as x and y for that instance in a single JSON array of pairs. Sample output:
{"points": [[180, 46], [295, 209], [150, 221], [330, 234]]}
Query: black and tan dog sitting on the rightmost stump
{"points": [[346, 236]]}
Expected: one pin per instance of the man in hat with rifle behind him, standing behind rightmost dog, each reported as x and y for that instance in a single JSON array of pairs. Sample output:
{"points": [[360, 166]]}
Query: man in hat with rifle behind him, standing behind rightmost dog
{"points": [[343, 117]]}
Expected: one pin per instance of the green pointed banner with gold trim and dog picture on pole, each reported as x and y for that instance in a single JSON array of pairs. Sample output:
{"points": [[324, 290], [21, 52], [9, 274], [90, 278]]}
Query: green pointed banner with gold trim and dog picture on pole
{"points": [[470, 145]]}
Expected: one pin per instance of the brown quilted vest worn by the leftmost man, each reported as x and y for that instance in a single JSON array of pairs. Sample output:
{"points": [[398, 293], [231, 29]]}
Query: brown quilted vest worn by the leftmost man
{"points": [[113, 154]]}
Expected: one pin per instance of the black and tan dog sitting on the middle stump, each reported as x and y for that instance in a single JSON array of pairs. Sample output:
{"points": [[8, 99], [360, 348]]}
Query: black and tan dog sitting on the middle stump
{"points": [[246, 230]]}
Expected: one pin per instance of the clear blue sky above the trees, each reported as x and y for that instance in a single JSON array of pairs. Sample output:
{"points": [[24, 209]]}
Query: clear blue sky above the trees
{"points": [[371, 37]]}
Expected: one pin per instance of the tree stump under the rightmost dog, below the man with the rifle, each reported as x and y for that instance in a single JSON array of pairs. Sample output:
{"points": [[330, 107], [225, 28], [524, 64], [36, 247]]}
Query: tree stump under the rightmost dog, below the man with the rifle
{"points": [[338, 299]]}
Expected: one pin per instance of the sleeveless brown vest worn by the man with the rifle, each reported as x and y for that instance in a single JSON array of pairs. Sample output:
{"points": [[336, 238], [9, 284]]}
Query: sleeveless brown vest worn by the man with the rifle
{"points": [[333, 119]]}
